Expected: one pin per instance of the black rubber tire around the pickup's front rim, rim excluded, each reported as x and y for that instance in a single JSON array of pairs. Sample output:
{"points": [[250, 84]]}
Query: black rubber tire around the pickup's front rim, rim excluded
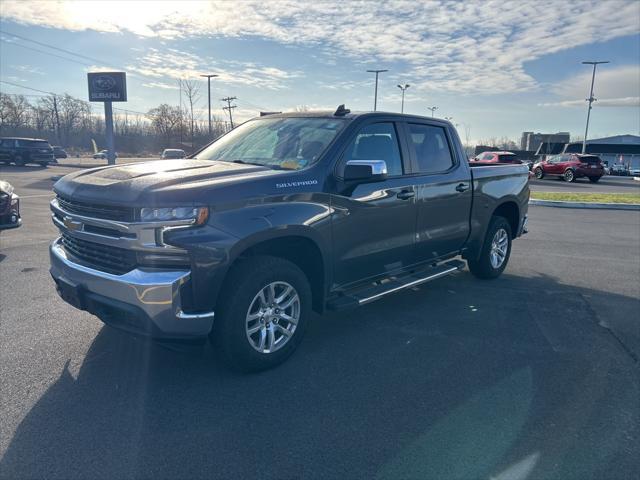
{"points": [[244, 282]]}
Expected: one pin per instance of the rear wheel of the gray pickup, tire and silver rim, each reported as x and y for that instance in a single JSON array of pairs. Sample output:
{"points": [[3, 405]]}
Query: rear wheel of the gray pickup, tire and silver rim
{"points": [[496, 250]]}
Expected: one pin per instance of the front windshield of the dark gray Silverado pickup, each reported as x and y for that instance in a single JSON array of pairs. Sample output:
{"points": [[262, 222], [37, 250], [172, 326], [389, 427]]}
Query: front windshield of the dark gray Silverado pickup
{"points": [[281, 143]]}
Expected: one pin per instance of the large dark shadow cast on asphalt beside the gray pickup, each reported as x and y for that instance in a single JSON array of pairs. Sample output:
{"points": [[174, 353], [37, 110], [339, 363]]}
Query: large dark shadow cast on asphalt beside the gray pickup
{"points": [[460, 379]]}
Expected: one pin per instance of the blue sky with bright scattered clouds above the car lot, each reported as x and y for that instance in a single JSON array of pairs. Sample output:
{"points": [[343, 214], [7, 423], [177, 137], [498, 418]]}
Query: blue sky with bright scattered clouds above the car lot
{"points": [[497, 68]]}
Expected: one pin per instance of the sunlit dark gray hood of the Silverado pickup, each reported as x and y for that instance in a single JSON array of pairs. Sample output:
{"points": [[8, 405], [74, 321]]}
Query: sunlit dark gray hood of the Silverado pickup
{"points": [[164, 182]]}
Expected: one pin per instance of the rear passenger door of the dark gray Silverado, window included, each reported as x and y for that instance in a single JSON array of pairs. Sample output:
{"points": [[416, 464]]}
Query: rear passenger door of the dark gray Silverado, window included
{"points": [[443, 188]]}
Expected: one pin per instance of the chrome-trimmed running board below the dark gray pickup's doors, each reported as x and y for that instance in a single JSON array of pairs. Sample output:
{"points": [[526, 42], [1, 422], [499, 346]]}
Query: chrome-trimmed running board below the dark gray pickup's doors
{"points": [[371, 293]]}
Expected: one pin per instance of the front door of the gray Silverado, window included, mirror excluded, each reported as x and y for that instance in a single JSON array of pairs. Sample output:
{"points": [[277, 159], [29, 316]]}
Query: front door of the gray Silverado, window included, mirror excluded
{"points": [[373, 223]]}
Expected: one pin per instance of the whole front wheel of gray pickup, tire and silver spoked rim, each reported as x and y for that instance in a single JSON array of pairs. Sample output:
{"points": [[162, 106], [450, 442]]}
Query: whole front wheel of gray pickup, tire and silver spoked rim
{"points": [[263, 314]]}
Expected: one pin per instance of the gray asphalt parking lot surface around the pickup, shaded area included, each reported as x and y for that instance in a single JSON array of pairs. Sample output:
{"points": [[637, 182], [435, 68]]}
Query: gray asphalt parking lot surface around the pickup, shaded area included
{"points": [[533, 375]]}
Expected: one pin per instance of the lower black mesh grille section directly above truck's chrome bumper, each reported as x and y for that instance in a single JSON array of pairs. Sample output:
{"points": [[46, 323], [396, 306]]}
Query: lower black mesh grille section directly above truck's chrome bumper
{"points": [[100, 257]]}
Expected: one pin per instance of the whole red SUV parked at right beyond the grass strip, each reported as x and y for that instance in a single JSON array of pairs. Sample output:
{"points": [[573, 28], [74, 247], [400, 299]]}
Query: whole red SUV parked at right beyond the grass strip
{"points": [[570, 166]]}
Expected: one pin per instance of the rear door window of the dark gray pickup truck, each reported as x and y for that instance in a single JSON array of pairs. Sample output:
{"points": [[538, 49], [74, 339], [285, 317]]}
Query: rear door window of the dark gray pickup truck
{"points": [[431, 148]]}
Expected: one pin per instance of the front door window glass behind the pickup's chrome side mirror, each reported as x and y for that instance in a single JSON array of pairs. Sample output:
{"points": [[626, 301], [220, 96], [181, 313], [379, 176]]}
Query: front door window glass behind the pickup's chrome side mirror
{"points": [[376, 142]]}
